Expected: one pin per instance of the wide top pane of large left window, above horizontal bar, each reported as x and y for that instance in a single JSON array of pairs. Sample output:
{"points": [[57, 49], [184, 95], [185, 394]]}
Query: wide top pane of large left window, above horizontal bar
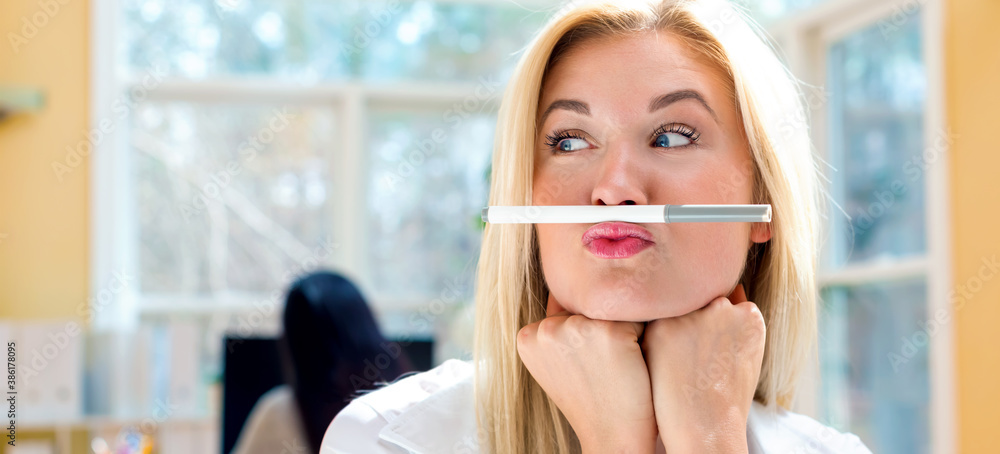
{"points": [[327, 39]]}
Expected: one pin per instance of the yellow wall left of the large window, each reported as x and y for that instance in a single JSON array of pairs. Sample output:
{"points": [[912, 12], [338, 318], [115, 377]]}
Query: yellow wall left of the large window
{"points": [[44, 256]]}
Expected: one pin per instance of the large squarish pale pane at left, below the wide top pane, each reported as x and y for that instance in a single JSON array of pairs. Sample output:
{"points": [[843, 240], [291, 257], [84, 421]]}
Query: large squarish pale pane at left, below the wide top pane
{"points": [[230, 197]]}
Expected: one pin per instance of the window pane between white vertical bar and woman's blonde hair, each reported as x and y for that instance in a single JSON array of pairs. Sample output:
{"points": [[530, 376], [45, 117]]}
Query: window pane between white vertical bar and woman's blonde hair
{"points": [[427, 186]]}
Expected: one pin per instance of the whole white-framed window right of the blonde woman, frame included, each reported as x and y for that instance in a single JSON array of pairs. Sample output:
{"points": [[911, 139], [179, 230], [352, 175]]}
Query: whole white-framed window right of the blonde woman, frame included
{"points": [[874, 96]]}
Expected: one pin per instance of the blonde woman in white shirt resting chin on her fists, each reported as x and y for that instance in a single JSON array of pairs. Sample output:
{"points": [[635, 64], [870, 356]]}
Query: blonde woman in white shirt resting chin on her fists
{"points": [[620, 337]]}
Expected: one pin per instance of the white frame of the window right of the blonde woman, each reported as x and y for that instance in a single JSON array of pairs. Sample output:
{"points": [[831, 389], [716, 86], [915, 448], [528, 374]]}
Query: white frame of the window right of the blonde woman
{"points": [[806, 37]]}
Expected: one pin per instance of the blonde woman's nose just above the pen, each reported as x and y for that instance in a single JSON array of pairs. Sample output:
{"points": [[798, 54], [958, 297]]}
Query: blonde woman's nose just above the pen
{"points": [[621, 180]]}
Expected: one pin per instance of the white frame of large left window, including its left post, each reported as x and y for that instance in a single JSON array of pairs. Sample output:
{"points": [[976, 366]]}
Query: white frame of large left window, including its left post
{"points": [[113, 226]]}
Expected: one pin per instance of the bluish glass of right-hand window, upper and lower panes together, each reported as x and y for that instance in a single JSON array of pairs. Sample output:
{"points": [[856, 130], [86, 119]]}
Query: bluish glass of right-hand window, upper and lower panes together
{"points": [[879, 88]]}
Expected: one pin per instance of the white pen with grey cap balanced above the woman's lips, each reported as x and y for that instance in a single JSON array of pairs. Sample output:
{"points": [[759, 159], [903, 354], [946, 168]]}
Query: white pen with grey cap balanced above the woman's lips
{"points": [[588, 214]]}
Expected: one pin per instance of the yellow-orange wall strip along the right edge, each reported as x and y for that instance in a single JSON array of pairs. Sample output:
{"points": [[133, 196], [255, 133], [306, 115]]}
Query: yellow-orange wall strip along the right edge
{"points": [[972, 73]]}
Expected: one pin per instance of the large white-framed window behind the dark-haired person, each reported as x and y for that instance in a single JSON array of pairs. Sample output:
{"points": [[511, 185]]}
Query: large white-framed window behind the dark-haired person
{"points": [[256, 141]]}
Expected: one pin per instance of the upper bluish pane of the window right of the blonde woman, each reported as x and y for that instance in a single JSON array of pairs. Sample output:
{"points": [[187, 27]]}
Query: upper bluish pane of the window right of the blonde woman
{"points": [[878, 90]]}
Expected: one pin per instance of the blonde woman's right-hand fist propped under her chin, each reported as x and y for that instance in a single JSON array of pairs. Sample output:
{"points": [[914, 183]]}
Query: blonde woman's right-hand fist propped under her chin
{"points": [[704, 368]]}
